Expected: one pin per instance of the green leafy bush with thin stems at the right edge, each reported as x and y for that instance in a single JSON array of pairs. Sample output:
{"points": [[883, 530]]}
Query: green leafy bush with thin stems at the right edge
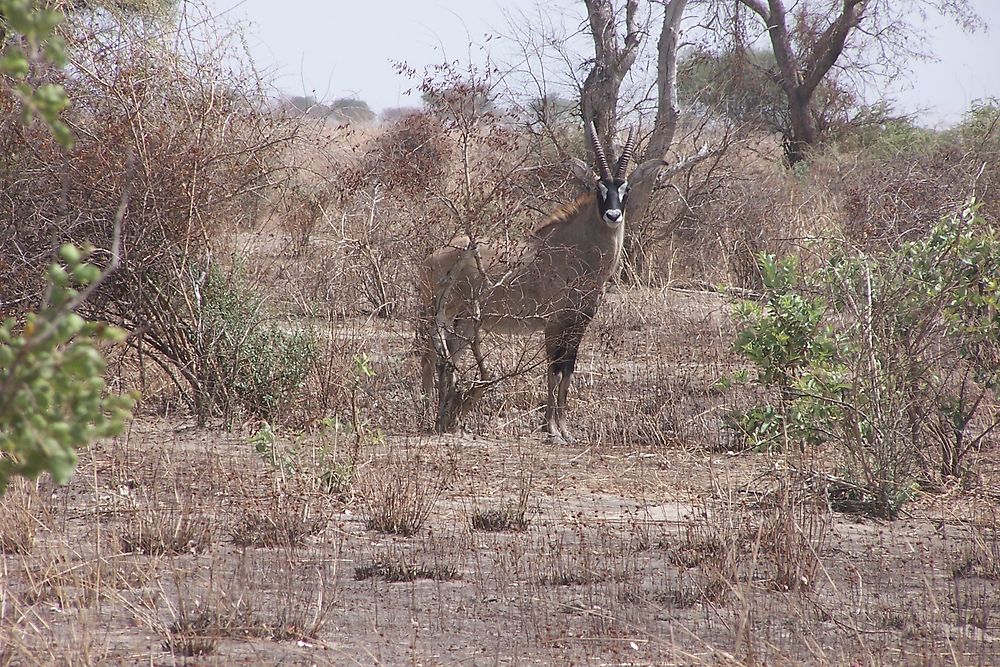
{"points": [[893, 358]]}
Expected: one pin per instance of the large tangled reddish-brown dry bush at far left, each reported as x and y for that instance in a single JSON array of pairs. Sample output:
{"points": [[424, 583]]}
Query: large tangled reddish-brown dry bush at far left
{"points": [[178, 142]]}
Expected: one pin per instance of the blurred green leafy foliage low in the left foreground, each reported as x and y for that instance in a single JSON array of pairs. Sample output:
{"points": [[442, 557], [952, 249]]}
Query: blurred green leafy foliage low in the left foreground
{"points": [[52, 388]]}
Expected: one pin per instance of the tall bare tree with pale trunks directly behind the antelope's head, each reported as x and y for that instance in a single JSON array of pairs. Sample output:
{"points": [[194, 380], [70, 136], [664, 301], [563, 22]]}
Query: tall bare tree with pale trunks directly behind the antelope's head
{"points": [[611, 86]]}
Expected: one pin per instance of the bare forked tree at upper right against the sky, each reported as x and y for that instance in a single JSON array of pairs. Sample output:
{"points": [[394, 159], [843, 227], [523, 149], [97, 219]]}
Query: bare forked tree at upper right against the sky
{"points": [[810, 38]]}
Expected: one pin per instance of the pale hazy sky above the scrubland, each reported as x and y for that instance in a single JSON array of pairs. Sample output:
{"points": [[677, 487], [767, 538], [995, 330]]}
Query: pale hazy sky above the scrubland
{"points": [[344, 48]]}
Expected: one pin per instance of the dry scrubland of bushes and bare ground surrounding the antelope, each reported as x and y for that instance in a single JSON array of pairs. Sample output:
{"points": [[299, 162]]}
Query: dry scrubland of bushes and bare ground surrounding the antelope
{"points": [[787, 405]]}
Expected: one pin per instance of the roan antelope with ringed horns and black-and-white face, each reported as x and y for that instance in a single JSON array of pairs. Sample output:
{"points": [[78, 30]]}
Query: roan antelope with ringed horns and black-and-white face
{"points": [[554, 282]]}
